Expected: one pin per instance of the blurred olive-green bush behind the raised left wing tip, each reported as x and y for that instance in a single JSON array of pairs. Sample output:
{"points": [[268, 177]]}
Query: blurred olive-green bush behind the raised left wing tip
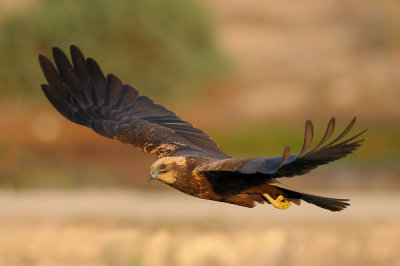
{"points": [[163, 47]]}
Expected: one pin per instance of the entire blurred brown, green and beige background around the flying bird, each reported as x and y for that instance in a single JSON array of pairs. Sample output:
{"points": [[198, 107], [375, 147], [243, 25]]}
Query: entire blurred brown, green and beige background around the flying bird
{"points": [[249, 73]]}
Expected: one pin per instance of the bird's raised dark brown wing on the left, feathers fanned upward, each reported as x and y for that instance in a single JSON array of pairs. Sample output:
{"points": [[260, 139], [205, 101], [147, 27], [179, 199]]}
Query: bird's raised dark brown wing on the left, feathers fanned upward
{"points": [[81, 93]]}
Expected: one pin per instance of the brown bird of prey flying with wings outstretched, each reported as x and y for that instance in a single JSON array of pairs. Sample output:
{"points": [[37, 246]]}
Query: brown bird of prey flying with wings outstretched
{"points": [[187, 159]]}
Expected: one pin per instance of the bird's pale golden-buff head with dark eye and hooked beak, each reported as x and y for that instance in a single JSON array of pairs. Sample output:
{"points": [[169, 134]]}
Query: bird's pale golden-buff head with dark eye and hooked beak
{"points": [[166, 169]]}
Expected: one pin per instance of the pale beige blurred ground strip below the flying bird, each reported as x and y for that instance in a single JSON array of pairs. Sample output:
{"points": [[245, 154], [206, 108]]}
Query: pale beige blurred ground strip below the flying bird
{"points": [[134, 228]]}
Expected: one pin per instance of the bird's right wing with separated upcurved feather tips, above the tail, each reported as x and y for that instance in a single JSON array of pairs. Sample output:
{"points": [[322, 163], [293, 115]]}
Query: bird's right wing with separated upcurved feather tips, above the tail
{"points": [[290, 165]]}
